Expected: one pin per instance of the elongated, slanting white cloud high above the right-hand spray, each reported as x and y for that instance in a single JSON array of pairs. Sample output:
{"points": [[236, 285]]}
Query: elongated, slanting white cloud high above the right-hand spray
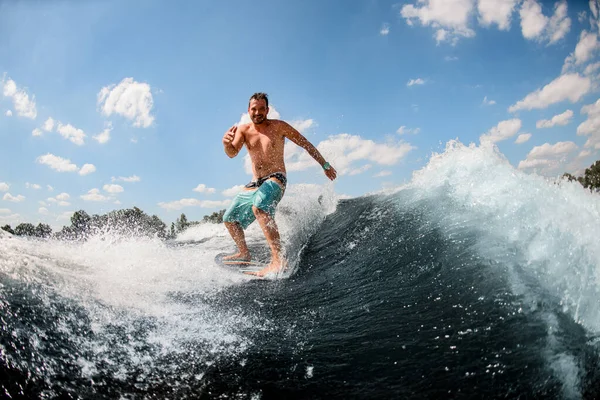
{"points": [[566, 87]]}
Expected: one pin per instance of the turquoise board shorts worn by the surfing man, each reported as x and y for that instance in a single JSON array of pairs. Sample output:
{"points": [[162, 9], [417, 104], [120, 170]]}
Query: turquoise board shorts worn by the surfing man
{"points": [[265, 198]]}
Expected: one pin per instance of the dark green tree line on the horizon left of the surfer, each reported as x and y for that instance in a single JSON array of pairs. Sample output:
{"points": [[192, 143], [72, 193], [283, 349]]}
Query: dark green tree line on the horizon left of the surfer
{"points": [[131, 221]]}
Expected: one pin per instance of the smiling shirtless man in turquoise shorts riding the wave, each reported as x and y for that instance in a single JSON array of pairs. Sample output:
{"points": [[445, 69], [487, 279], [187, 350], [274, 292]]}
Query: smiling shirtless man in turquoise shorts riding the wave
{"points": [[264, 138]]}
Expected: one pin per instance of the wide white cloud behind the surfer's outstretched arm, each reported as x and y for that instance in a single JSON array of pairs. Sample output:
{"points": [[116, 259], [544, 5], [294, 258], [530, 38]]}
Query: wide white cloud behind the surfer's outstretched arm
{"points": [[343, 151]]}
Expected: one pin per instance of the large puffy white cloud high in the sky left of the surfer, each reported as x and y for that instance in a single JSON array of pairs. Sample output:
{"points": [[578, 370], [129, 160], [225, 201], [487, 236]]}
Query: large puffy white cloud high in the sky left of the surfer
{"points": [[130, 99]]}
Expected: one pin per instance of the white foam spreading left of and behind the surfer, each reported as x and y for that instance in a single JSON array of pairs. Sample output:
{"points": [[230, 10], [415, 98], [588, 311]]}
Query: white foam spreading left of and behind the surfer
{"points": [[121, 280]]}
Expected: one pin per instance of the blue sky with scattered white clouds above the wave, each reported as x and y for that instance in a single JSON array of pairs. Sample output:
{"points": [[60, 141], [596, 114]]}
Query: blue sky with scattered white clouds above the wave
{"points": [[111, 104]]}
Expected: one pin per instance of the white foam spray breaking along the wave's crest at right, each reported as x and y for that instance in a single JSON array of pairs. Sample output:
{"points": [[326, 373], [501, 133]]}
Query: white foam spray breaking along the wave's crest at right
{"points": [[548, 227]]}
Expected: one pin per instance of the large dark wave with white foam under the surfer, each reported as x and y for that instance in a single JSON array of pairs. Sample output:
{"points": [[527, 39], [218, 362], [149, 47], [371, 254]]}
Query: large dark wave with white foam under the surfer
{"points": [[473, 280]]}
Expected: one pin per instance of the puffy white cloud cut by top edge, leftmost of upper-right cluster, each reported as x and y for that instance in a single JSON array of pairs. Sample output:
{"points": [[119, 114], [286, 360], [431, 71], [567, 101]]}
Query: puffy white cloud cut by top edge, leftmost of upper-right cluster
{"points": [[448, 17]]}
